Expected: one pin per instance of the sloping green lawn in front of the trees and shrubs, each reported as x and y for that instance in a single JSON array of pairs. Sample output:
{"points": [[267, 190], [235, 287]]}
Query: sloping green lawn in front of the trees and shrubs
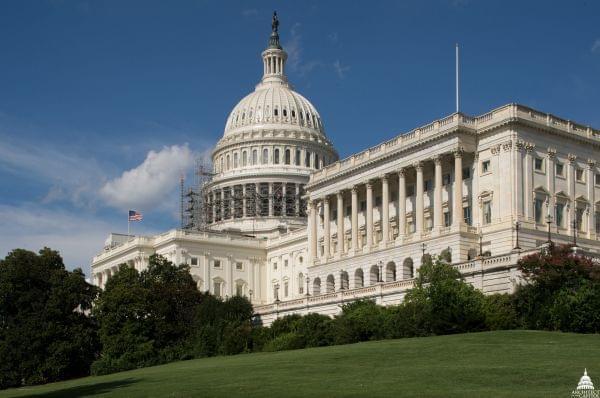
{"points": [[494, 364]]}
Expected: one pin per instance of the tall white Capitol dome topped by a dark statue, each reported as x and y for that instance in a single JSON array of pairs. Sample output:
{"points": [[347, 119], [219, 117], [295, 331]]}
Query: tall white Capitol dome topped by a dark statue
{"points": [[273, 140]]}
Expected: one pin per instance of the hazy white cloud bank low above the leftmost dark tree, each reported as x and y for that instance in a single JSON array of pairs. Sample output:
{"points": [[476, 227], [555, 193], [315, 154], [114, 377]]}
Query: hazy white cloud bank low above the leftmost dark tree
{"points": [[78, 236]]}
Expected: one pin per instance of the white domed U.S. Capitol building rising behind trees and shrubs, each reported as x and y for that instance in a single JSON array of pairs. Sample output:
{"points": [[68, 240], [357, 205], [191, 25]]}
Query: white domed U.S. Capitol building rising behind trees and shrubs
{"points": [[295, 229]]}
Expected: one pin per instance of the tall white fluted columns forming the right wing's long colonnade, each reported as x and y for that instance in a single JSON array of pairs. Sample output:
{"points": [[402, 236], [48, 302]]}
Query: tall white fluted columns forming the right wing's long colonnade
{"points": [[368, 188]]}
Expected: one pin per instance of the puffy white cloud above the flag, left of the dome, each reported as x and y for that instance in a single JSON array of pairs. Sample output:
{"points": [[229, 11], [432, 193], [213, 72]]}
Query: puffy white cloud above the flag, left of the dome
{"points": [[152, 182]]}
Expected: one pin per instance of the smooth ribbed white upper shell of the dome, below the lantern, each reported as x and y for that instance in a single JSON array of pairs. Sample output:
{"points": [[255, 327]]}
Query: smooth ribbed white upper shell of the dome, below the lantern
{"points": [[274, 103]]}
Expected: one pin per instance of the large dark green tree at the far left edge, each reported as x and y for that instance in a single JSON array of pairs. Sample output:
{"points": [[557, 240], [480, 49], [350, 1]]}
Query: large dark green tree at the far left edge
{"points": [[45, 331]]}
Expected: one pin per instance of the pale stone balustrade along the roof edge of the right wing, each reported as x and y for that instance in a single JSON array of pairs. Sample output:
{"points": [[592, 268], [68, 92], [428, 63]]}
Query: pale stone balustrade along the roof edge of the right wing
{"points": [[400, 142]]}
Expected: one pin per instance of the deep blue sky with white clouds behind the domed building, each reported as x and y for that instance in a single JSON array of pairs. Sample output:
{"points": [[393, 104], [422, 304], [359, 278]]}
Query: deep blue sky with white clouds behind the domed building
{"points": [[104, 104]]}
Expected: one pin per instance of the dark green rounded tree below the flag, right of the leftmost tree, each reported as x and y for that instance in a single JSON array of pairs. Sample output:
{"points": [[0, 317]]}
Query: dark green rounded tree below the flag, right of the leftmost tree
{"points": [[145, 318]]}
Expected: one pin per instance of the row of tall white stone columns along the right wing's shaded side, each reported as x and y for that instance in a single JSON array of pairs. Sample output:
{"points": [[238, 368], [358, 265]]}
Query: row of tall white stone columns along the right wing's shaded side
{"points": [[385, 216]]}
